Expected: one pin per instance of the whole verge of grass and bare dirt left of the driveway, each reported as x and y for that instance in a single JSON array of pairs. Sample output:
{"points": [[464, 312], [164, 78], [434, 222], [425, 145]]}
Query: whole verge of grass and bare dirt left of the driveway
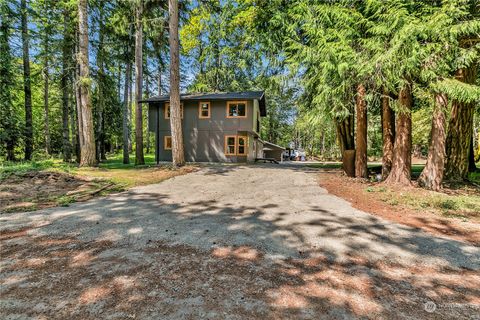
{"points": [[110, 176]]}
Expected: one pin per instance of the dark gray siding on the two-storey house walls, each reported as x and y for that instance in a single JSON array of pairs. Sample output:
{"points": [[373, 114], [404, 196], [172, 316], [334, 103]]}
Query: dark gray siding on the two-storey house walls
{"points": [[204, 139]]}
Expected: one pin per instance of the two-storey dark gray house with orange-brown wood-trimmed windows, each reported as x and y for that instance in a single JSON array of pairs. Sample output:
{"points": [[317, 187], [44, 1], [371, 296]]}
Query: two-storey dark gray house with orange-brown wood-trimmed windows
{"points": [[217, 127]]}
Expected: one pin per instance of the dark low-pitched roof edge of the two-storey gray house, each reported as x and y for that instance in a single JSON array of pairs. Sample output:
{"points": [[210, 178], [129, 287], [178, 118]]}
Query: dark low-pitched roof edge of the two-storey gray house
{"points": [[245, 95]]}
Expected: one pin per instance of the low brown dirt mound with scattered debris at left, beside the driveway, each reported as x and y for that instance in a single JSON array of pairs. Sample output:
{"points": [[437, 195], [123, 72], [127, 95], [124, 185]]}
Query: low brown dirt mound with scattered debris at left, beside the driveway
{"points": [[43, 189]]}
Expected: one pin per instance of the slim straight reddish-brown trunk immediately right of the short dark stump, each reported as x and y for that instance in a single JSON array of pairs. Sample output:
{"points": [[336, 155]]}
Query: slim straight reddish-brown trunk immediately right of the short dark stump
{"points": [[361, 170]]}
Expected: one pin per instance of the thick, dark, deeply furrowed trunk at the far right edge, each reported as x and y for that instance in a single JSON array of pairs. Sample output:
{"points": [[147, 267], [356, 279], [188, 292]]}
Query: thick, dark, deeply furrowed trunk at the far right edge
{"points": [[460, 130]]}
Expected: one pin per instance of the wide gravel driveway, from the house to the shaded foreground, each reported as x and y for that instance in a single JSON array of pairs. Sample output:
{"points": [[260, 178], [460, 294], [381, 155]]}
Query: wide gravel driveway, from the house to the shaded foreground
{"points": [[262, 241]]}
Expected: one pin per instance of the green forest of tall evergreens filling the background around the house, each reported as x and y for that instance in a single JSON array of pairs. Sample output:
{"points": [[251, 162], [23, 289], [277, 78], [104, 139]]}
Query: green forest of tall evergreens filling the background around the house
{"points": [[384, 78]]}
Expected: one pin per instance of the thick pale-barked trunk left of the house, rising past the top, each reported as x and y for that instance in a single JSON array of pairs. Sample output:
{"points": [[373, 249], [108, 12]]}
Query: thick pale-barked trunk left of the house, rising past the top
{"points": [[87, 141]]}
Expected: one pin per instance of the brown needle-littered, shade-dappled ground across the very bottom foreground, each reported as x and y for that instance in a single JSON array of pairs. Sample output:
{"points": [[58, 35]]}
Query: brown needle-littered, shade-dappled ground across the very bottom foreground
{"points": [[58, 278]]}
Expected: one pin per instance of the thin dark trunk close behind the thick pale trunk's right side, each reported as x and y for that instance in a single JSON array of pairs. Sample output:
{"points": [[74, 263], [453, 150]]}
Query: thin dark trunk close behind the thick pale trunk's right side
{"points": [[100, 137]]}
